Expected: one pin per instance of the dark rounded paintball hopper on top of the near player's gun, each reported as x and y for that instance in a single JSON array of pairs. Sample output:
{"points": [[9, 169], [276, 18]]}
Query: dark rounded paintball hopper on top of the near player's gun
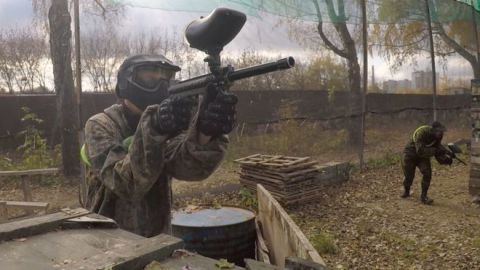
{"points": [[210, 34]]}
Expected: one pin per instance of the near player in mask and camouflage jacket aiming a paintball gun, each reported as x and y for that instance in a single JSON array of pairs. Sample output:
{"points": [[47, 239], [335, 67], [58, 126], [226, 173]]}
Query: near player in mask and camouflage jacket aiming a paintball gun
{"points": [[133, 149]]}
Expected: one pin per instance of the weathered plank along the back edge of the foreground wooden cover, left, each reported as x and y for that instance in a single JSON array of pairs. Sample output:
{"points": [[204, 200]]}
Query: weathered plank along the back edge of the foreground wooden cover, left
{"points": [[36, 225]]}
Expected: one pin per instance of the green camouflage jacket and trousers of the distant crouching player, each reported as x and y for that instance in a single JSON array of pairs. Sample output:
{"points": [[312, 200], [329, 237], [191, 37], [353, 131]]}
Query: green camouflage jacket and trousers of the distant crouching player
{"points": [[417, 153]]}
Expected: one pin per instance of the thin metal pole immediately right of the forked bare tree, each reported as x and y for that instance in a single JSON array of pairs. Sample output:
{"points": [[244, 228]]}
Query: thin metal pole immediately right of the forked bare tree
{"points": [[365, 81]]}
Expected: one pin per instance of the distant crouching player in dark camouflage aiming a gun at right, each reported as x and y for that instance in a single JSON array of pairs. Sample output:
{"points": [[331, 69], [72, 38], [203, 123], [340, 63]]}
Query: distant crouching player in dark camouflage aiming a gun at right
{"points": [[424, 144]]}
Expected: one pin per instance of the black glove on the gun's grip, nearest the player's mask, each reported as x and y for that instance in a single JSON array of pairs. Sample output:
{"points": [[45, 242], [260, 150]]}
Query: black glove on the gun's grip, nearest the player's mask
{"points": [[173, 116]]}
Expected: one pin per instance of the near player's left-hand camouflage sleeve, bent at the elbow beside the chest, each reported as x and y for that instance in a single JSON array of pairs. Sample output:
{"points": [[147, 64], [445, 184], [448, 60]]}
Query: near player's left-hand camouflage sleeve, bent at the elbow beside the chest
{"points": [[131, 172]]}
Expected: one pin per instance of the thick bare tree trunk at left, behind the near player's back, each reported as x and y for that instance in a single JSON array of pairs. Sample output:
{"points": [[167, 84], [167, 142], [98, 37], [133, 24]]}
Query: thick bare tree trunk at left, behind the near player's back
{"points": [[60, 50]]}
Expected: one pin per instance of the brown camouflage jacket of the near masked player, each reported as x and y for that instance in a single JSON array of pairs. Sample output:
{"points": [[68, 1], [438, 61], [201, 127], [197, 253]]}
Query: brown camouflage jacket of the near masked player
{"points": [[132, 185]]}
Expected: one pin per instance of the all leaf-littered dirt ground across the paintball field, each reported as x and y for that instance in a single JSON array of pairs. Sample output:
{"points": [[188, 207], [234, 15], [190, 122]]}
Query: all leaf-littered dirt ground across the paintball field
{"points": [[361, 224]]}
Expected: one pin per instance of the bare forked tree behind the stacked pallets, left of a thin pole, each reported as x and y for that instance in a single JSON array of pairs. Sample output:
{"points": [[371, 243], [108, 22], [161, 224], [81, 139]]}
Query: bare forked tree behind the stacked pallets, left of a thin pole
{"points": [[339, 37]]}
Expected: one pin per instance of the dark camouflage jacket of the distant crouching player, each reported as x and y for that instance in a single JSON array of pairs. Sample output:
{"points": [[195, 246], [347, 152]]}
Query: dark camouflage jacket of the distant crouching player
{"points": [[423, 143]]}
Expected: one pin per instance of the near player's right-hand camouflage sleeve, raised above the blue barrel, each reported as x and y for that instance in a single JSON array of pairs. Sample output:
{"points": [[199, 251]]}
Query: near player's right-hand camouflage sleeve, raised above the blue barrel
{"points": [[190, 161]]}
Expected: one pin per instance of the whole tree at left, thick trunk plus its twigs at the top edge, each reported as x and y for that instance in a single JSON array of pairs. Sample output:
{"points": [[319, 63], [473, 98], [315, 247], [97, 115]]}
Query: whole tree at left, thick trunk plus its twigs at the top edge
{"points": [[55, 18]]}
